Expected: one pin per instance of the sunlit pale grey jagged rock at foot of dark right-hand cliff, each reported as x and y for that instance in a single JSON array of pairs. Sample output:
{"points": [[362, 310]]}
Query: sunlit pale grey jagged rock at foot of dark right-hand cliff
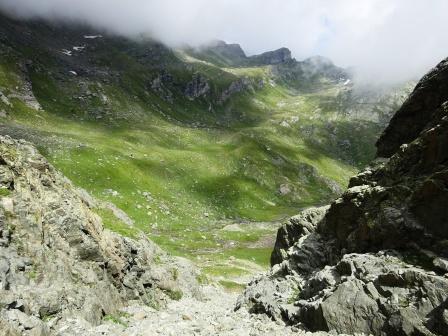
{"points": [[377, 294]]}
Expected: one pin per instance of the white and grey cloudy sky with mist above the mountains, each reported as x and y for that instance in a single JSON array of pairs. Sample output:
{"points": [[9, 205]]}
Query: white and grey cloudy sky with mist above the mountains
{"points": [[384, 39]]}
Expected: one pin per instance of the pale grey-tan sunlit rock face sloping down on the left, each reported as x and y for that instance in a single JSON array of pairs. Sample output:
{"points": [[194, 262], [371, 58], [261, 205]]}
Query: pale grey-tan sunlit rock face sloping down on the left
{"points": [[56, 259]]}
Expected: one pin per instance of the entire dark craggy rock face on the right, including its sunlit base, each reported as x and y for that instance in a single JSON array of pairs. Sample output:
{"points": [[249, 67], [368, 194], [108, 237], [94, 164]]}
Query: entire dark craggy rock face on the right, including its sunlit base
{"points": [[375, 260]]}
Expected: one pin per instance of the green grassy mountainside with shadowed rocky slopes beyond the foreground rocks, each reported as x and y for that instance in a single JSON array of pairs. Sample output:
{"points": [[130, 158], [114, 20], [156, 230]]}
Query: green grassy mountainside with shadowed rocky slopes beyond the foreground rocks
{"points": [[203, 150]]}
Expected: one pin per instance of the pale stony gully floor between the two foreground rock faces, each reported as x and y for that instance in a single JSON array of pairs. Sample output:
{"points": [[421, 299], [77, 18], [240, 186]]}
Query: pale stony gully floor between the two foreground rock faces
{"points": [[191, 317]]}
